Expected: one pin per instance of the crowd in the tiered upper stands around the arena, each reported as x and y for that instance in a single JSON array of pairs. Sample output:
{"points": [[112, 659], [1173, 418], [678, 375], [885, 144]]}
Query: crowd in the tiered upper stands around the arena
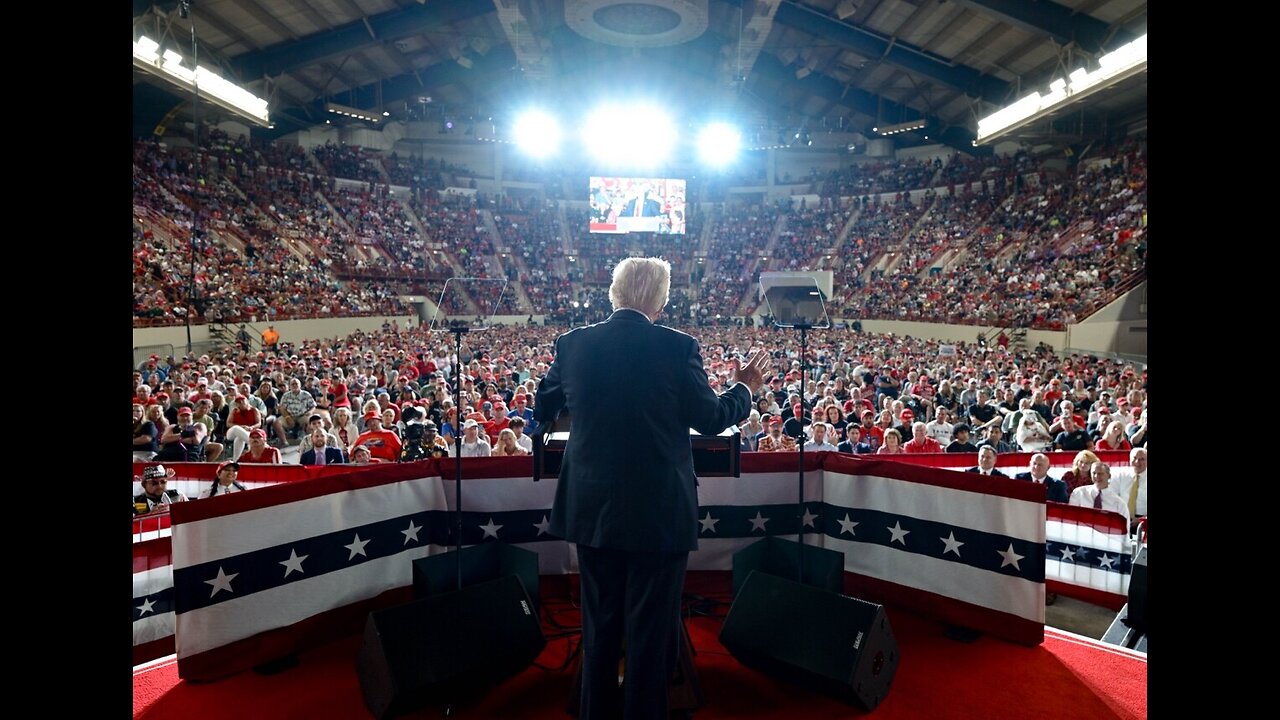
{"points": [[1034, 244]]}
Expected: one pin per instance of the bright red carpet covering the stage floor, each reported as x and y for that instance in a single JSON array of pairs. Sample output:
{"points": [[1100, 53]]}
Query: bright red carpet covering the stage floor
{"points": [[1067, 677]]}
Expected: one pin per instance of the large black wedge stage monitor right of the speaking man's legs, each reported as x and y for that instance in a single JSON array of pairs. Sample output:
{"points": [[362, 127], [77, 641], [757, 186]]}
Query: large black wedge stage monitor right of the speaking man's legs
{"points": [[830, 642]]}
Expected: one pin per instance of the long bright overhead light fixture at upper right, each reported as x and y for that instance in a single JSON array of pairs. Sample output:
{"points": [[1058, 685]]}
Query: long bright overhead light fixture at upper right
{"points": [[1114, 67]]}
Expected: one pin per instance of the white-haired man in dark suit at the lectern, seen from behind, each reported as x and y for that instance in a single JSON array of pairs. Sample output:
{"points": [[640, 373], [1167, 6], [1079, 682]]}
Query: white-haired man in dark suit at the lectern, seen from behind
{"points": [[633, 508]]}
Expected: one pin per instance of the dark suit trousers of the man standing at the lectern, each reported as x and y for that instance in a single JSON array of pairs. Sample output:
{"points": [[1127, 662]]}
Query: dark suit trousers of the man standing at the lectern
{"points": [[633, 598]]}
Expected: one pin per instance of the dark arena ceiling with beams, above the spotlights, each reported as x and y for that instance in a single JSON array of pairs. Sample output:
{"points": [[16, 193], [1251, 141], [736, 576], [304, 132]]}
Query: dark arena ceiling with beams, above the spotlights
{"points": [[812, 65]]}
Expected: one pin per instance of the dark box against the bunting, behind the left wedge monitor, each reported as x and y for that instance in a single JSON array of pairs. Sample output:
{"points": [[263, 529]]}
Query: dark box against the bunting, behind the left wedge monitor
{"points": [[481, 563]]}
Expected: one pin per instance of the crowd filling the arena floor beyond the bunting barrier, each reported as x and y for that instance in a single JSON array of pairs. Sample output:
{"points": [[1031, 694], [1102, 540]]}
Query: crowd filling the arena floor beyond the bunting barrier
{"points": [[388, 397]]}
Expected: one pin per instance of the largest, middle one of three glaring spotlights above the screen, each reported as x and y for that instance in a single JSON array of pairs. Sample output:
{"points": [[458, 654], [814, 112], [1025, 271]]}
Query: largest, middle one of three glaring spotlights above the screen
{"points": [[629, 135]]}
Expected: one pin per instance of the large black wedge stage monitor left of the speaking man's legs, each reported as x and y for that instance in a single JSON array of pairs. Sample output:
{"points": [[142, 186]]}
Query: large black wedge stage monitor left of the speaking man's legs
{"points": [[456, 642]]}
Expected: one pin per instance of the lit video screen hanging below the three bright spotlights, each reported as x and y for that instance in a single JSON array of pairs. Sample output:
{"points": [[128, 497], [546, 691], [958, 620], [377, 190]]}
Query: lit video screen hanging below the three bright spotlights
{"points": [[623, 206]]}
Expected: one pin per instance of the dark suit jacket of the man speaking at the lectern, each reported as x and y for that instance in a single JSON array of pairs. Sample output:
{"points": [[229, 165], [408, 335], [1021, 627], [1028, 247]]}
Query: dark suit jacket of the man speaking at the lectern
{"points": [[633, 391]]}
